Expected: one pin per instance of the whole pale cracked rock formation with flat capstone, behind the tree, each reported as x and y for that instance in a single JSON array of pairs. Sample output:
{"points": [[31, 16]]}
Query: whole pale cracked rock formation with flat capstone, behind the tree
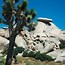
{"points": [[45, 38]]}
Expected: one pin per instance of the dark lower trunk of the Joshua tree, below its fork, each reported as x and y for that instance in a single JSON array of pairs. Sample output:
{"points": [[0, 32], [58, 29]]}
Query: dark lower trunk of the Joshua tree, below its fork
{"points": [[10, 50]]}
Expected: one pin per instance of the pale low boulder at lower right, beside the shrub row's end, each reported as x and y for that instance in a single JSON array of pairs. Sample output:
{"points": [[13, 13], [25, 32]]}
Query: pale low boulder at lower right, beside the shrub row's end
{"points": [[58, 55]]}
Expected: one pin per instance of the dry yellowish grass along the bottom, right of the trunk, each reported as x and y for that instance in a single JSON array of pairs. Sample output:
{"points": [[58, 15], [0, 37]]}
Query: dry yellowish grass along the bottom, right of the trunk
{"points": [[32, 61]]}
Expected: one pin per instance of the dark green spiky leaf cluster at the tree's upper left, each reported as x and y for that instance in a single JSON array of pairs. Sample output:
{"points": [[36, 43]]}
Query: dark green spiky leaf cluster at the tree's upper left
{"points": [[7, 10]]}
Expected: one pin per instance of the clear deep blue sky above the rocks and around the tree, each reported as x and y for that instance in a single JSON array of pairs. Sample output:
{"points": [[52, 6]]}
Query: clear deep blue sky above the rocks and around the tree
{"points": [[54, 9]]}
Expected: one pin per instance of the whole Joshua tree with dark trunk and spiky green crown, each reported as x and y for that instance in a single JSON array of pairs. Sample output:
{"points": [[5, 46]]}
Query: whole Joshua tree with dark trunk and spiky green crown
{"points": [[16, 18]]}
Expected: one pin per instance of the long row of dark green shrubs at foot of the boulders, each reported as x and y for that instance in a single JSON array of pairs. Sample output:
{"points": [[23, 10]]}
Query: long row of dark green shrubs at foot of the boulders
{"points": [[37, 56]]}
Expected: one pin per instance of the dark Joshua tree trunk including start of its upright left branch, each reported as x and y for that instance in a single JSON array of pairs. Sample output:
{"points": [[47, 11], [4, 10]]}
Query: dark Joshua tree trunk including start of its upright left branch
{"points": [[11, 45]]}
